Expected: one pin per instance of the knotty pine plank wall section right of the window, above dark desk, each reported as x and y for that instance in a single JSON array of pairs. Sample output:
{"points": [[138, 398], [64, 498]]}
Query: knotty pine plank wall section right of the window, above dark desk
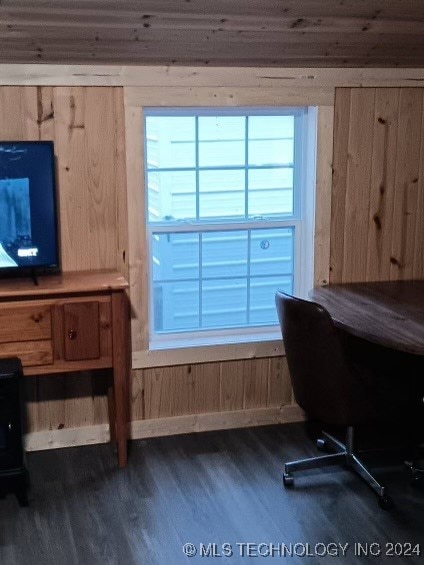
{"points": [[377, 228]]}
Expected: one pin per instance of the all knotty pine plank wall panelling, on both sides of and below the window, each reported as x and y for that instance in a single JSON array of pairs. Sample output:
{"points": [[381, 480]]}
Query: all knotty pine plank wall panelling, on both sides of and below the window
{"points": [[377, 229]]}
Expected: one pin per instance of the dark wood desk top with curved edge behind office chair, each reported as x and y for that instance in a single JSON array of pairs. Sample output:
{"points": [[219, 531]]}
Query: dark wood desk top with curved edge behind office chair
{"points": [[386, 313]]}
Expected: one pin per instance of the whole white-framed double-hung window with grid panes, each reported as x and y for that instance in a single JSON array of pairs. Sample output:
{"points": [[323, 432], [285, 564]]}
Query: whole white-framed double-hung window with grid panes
{"points": [[228, 220]]}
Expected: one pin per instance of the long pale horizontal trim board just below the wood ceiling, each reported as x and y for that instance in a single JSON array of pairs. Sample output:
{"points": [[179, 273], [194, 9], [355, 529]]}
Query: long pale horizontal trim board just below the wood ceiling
{"points": [[136, 75]]}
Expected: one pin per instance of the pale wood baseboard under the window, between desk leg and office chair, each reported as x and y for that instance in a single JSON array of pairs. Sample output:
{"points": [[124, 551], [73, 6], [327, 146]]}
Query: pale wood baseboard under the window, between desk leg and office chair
{"points": [[143, 429]]}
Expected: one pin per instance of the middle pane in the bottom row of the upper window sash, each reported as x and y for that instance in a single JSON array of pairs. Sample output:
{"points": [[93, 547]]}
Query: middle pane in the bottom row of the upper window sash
{"points": [[222, 193]]}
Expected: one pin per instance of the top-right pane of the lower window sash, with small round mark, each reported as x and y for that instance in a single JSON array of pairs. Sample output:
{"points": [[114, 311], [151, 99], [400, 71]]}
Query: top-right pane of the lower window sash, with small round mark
{"points": [[271, 252]]}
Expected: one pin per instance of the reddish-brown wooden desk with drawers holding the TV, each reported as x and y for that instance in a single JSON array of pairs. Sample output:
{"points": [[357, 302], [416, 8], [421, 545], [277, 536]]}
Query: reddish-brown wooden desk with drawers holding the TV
{"points": [[68, 323]]}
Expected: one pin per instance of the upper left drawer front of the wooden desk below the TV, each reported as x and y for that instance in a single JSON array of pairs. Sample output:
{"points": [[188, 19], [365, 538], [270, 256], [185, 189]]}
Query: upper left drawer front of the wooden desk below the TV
{"points": [[26, 322]]}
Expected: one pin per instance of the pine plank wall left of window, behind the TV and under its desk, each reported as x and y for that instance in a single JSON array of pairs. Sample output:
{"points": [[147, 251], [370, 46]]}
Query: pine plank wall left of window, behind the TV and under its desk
{"points": [[87, 126]]}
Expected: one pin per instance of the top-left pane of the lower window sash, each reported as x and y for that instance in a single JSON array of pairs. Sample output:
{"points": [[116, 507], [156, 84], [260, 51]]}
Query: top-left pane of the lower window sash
{"points": [[175, 256]]}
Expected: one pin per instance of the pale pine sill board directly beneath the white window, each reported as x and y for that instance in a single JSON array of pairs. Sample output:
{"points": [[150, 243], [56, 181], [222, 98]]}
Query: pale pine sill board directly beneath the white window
{"points": [[207, 353]]}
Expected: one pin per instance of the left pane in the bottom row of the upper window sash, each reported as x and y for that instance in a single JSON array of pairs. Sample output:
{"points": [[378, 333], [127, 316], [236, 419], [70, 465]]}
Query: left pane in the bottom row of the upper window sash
{"points": [[171, 195]]}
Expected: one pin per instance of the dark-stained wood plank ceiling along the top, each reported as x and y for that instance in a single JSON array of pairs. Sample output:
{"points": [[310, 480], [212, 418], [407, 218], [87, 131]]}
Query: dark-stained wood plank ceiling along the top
{"points": [[297, 33]]}
